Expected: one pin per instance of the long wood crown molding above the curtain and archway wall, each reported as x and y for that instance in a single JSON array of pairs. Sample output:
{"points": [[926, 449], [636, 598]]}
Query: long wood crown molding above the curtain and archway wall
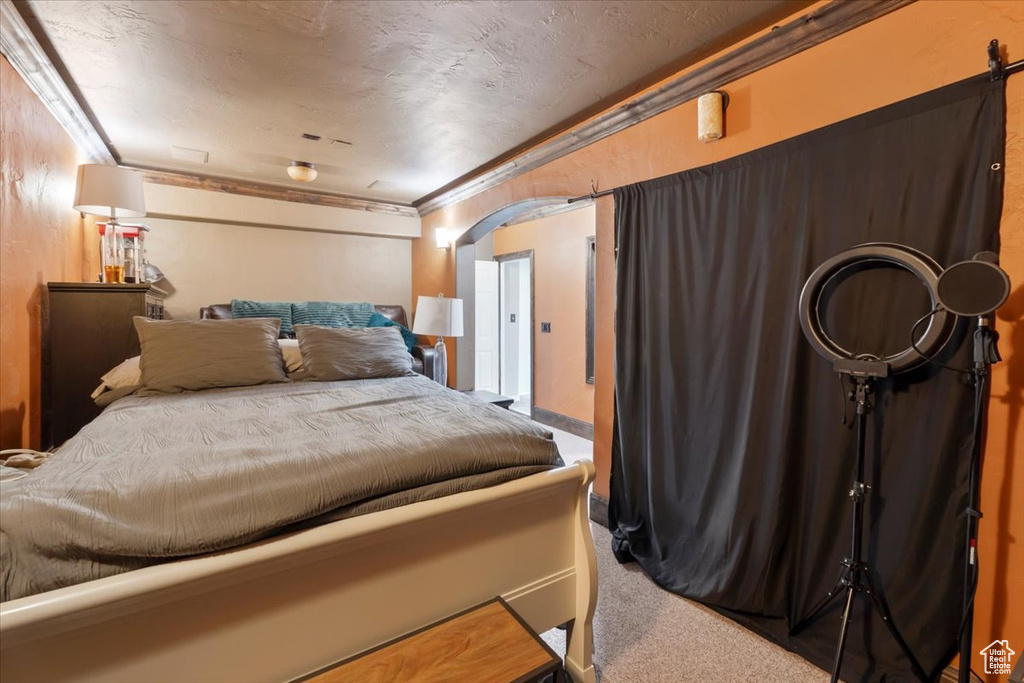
{"points": [[784, 41]]}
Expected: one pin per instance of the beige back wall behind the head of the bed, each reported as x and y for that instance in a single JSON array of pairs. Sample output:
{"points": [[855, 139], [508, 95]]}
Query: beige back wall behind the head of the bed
{"points": [[215, 247]]}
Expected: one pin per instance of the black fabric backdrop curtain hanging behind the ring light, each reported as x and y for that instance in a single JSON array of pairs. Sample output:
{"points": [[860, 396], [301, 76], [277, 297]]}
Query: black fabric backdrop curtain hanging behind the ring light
{"points": [[731, 463]]}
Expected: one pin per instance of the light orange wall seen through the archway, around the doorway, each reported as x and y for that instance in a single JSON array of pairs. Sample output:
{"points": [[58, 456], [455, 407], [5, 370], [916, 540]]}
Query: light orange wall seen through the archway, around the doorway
{"points": [[561, 296]]}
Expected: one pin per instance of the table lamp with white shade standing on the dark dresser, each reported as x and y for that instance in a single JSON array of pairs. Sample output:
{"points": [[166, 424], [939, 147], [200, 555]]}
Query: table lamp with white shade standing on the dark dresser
{"points": [[115, 193]]}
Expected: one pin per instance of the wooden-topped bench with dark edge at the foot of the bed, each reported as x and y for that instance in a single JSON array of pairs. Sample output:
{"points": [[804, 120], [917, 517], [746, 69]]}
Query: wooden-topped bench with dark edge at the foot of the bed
{"points": [[485, 645]]}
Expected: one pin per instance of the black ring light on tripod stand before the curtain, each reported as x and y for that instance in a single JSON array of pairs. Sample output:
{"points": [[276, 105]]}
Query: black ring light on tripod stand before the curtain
{"points": [[865, 369]]}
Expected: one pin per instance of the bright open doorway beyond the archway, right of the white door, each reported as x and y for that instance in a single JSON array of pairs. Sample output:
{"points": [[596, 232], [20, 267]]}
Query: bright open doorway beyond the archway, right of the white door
{"points": [[516, 294]]}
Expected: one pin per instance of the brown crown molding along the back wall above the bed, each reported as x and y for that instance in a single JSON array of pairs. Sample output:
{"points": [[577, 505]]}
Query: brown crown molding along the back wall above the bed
{"points": [[211, 184]]}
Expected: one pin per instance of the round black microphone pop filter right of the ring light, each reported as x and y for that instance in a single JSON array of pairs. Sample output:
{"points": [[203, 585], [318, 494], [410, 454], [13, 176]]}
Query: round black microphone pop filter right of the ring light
{"points": [[973, 288]]}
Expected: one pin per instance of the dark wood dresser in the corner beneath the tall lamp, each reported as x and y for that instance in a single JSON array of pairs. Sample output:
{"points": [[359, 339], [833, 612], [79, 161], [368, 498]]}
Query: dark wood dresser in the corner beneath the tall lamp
{"points": [[89, 331]]}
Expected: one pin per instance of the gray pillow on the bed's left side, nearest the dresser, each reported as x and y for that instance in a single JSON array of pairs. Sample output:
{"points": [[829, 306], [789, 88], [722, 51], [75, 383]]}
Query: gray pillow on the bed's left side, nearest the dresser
{"points": [[186, 356]]}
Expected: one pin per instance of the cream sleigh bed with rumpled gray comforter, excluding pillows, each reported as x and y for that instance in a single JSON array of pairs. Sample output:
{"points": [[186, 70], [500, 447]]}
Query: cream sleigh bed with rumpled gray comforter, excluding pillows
{"points": [[351, 566]]}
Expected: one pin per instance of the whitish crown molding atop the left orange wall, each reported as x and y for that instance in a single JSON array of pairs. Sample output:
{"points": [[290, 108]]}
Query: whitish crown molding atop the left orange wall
{"points": [[19, 45]]}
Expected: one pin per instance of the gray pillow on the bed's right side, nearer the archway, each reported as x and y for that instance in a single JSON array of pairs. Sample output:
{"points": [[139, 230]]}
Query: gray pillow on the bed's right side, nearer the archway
{"points": [[353, 354]]}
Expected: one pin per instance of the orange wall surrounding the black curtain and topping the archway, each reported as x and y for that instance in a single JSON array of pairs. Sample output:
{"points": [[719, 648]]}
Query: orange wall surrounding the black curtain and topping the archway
{"points": [[913, 51]]}
